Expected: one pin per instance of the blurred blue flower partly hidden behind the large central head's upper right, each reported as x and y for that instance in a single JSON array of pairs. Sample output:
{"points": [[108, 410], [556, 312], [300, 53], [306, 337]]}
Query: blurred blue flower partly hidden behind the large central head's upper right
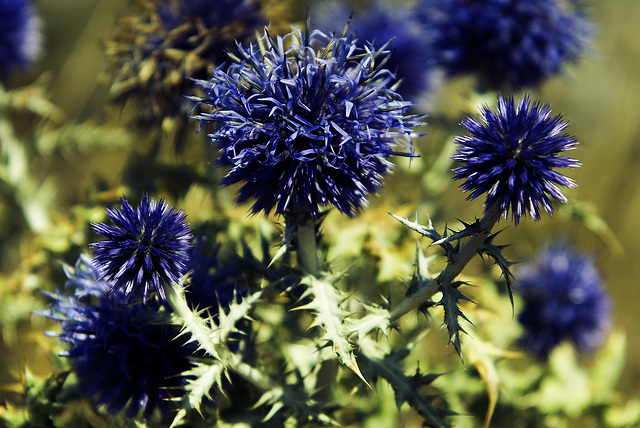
{"points": [[382, 23]]}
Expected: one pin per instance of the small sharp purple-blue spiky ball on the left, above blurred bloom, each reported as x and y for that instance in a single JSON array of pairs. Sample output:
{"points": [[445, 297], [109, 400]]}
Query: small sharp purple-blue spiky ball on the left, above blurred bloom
{"points": [[145, 250]]}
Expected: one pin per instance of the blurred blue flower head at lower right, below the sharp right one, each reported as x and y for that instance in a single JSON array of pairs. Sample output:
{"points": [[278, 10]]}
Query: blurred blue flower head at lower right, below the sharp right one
{"points": [[564, 300]]}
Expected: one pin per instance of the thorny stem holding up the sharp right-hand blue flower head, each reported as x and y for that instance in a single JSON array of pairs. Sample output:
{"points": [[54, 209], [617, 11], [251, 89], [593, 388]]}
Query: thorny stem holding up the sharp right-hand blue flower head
{"points": [[452, 270]]}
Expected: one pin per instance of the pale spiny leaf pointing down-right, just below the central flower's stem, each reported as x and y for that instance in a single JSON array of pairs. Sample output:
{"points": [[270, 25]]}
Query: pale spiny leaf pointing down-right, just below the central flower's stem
{"points": [[325, 301]]}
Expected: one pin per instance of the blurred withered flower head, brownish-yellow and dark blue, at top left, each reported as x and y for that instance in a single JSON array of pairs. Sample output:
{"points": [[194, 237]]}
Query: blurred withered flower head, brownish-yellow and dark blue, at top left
{"points": [[155, 52]]}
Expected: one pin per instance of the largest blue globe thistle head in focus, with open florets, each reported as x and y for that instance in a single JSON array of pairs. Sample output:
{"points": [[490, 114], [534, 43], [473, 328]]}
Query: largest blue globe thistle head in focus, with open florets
{"points": [[306, 122]]}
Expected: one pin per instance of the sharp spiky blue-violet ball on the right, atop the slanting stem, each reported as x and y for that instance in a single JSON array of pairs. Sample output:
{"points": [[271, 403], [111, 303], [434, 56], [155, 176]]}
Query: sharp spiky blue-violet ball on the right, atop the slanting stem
{"points": [[511, 155]]}
